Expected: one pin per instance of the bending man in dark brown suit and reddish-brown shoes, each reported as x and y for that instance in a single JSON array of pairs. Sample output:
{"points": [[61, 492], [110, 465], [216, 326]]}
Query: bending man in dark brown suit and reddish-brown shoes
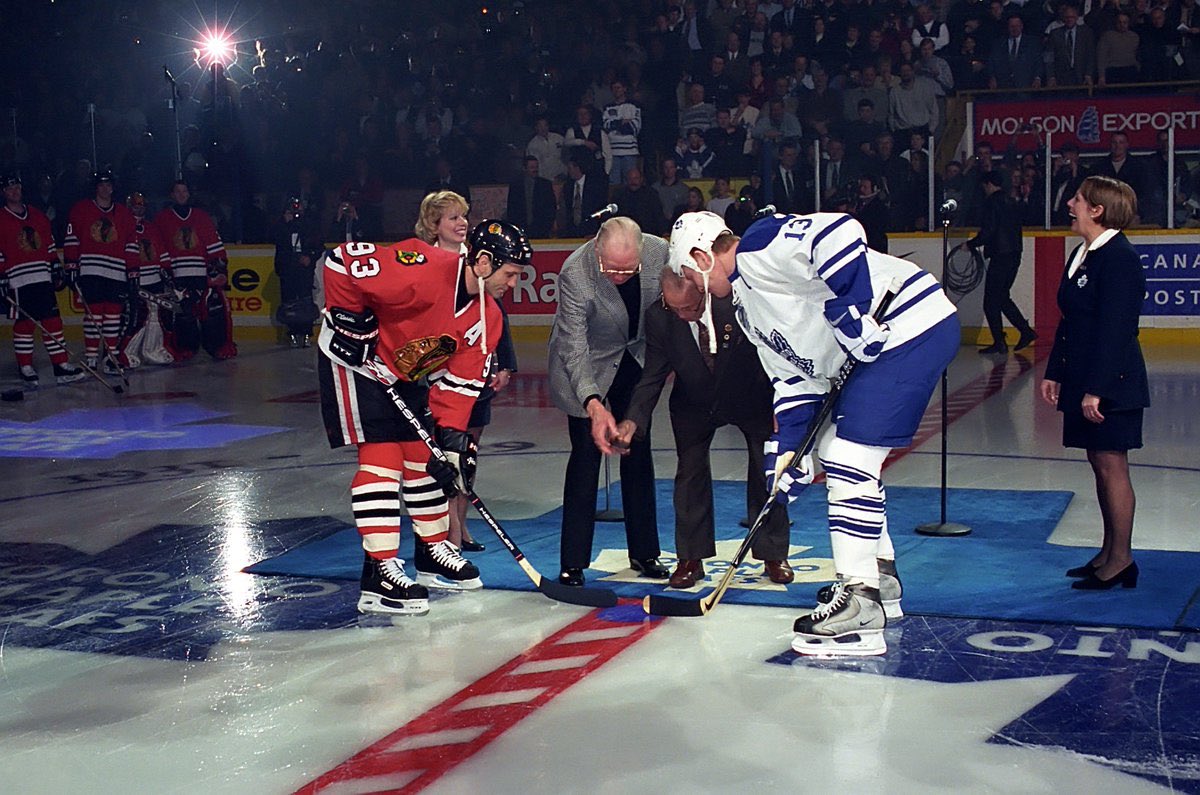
{"points": [[711, 391]]}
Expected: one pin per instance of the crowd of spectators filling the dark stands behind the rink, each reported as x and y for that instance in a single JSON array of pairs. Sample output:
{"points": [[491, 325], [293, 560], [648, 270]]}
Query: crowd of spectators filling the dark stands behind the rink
{"points": [[571, 104]]}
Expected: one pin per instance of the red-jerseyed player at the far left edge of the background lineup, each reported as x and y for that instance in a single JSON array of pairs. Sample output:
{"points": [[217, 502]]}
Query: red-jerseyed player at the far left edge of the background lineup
{"points": [[29, 267]]}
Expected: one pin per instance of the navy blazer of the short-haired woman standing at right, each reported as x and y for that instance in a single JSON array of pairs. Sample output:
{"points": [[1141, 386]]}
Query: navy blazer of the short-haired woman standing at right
{"points": [[1096, 349]]}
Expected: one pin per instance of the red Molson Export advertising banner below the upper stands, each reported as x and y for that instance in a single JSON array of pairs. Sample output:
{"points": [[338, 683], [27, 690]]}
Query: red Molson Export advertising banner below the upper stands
{"points": [[1090, 123]]}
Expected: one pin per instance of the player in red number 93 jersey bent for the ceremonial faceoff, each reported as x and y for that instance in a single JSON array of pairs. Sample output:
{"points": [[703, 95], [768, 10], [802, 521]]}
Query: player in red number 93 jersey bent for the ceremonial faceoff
{"points": [[429, 320]]}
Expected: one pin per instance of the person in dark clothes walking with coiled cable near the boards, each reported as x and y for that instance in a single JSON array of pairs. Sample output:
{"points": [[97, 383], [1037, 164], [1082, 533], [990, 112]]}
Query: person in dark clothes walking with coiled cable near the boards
{"points": [[1000, 237]]}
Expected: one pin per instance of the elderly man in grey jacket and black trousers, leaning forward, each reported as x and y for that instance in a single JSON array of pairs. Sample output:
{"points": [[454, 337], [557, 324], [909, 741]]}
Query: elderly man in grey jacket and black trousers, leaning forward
{"points": [[597, 352]]}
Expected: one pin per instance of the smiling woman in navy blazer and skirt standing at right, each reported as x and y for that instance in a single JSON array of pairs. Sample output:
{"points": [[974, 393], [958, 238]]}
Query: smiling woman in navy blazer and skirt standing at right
{"points": [[1096, 375]]}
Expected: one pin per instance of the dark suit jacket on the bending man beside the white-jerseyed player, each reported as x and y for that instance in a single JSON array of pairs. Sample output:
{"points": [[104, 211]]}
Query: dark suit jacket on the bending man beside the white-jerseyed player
{"points": [[739, 392]]}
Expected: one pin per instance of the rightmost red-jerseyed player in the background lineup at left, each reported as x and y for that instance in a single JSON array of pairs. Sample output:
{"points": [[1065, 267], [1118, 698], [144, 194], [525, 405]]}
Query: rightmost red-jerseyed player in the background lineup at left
{"points": [[200, 268]]}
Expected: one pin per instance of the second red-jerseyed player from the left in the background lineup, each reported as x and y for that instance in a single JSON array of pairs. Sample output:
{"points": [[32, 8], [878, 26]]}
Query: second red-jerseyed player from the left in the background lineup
{"points": [[98, 232]]}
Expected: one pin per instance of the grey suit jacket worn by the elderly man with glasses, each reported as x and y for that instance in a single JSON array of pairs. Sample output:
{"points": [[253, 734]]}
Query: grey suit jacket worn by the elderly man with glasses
{"points": [[591, 332]]}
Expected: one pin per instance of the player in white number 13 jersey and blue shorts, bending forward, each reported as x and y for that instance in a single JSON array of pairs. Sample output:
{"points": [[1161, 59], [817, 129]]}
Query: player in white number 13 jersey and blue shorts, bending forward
{"points": [[805, 288]]}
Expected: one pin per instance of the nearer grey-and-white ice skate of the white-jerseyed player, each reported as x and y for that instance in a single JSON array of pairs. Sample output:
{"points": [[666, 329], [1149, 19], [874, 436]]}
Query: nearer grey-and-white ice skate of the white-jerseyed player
{"points": [[850, 625]]}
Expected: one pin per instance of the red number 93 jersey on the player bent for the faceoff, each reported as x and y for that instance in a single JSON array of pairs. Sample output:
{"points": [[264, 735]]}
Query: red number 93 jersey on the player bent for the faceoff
{"points": [[429, 326]]}
